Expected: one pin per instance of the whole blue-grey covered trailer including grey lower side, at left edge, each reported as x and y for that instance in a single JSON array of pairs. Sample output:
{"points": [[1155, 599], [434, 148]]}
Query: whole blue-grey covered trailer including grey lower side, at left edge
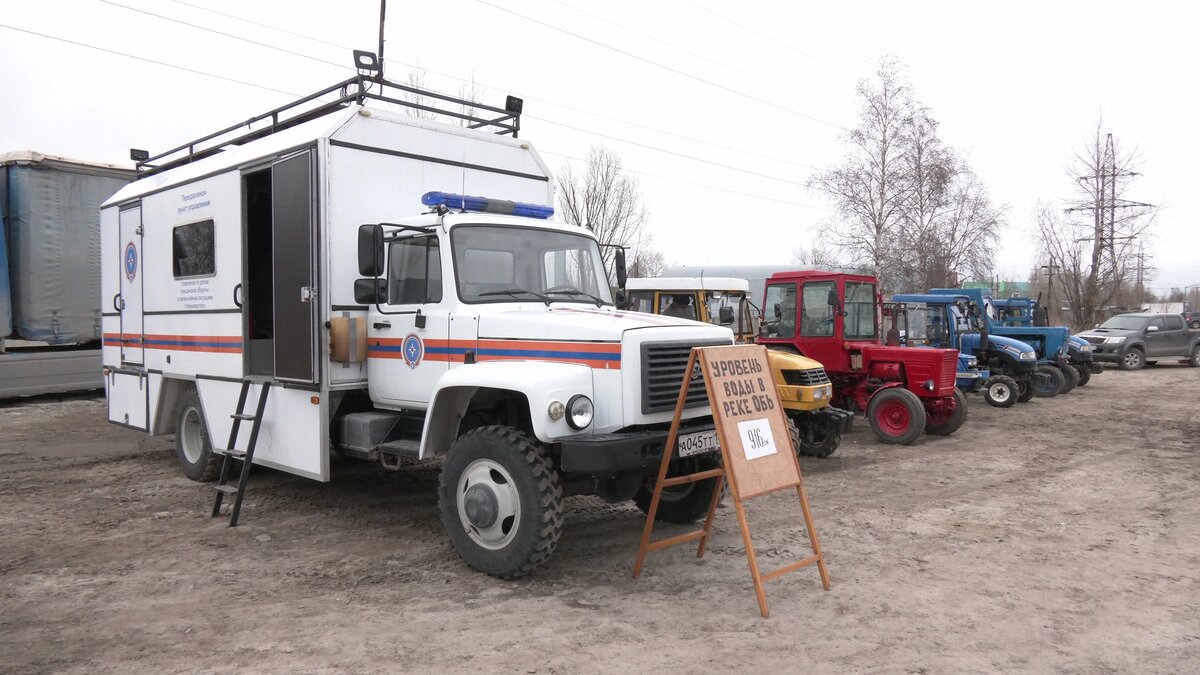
{"points": [[50, 271]]}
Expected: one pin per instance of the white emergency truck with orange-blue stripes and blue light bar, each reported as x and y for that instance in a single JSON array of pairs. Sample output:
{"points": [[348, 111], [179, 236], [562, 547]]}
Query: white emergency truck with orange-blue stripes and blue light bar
{"points": [[272, 297]]}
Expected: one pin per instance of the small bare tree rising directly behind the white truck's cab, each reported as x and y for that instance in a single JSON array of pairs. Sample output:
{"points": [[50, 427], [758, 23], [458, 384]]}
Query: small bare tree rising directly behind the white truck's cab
{"points": [[605, 200]]}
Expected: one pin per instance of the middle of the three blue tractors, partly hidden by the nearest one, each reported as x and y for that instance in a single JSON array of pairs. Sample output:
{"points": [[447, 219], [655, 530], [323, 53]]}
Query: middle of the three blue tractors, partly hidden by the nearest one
{"points": [[1051, 343]]}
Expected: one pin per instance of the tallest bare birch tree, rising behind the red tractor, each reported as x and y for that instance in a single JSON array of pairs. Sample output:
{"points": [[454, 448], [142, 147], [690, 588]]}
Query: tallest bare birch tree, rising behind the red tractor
{"points": [[871, 188]]}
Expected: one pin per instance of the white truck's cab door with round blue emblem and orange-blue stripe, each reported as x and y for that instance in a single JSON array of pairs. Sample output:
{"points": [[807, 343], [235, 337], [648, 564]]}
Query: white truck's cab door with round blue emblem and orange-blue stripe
{"points": [[409, 334]]}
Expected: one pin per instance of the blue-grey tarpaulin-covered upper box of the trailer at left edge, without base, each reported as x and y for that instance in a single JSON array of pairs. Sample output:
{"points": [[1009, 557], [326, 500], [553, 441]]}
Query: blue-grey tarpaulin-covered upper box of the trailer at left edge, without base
{"points": [[50, 264]]}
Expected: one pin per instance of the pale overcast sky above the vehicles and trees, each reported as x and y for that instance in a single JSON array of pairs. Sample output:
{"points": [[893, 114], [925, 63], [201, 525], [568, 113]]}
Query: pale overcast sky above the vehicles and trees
{"points": [[721, 110]]}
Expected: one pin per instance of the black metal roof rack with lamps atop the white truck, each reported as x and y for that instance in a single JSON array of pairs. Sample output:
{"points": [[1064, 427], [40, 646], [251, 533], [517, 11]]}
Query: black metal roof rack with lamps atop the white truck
{"points": [[356, 91]]}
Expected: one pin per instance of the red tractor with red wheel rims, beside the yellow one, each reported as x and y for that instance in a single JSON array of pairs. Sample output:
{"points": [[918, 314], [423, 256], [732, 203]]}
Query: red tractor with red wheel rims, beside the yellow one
{"points": [[833, 319]]}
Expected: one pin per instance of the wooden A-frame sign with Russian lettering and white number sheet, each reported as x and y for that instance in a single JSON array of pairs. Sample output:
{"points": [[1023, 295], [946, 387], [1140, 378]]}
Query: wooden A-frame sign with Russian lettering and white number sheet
{"points": [[758, 455]]}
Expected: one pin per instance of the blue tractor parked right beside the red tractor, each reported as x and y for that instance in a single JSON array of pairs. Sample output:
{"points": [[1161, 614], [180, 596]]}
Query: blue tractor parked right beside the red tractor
{"points": [[1004, 369]]}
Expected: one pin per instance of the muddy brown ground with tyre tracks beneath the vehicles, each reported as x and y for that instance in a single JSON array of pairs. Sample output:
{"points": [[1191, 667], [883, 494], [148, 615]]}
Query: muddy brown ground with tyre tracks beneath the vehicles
{"points": [[1063, 535]]}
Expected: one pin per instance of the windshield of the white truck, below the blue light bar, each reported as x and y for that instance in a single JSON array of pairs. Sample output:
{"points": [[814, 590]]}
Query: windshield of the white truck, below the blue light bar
{"points": [[521, 265]]}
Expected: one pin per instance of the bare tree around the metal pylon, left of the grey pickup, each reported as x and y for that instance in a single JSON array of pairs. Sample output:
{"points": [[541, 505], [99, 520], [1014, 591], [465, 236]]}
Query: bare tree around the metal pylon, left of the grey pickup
{"points": [[1096, 242]]}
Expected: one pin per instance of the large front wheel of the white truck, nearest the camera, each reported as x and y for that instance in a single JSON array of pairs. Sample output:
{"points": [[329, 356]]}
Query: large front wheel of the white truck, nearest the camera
{"points": [[501, 501]]}
